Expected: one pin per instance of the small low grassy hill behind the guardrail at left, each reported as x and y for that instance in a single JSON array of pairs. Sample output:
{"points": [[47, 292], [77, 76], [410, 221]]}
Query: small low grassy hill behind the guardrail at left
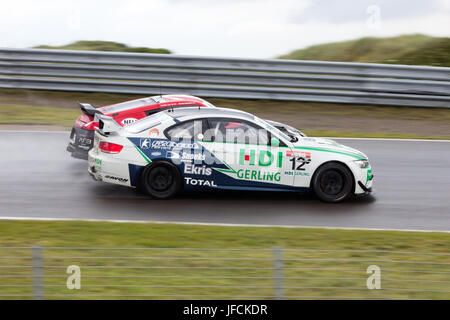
{"points": [[104, 46]]}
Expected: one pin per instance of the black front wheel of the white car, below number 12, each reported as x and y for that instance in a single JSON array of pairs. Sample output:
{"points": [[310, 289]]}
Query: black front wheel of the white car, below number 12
{"points": [[332, 182]]}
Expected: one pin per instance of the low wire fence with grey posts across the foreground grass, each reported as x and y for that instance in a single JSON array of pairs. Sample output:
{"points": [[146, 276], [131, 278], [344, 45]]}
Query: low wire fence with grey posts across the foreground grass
{"points": [[218, 273]]}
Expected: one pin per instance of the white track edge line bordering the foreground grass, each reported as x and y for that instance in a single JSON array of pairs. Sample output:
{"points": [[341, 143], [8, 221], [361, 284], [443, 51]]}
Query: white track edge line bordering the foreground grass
{"points": [[214, 224]]}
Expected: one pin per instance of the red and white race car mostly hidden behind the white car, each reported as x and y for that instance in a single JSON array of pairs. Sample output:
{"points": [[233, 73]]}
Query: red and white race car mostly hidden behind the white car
{"points": [[82, 134]]}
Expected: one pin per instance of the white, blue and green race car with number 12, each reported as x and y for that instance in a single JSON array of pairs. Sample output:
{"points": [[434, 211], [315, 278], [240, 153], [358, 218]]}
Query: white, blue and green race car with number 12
{"points": [[199, 149]]}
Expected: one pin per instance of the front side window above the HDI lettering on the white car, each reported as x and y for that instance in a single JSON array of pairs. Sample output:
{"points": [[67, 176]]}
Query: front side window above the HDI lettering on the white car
{"points": [[236, 131]]}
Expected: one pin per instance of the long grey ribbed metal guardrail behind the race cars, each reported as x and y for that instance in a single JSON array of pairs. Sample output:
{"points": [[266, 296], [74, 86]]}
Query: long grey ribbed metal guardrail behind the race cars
{"points": [[139, 73]]}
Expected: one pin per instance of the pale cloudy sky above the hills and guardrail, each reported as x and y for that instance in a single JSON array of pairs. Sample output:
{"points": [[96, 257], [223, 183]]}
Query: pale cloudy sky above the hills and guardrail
{"points": [[228, 28]]}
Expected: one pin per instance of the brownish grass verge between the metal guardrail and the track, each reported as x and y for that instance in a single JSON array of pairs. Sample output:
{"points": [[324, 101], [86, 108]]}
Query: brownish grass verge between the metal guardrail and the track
{"points": [[316, 119]]}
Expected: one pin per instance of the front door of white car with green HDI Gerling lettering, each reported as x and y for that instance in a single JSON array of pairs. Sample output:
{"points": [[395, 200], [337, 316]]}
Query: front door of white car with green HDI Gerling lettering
{"points": [[254, 156]]}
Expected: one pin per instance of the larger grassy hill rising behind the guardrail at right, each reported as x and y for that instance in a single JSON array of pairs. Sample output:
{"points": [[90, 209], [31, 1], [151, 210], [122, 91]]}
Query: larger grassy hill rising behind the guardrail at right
{"points": [[413, 49]]}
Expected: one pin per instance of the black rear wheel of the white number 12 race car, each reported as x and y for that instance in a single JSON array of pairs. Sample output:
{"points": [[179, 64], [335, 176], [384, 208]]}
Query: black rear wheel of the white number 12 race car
{"points": [[161, 180]]}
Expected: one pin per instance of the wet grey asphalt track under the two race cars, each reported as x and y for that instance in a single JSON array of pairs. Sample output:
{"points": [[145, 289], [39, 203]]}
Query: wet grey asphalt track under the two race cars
{"points": [[38, 179]]}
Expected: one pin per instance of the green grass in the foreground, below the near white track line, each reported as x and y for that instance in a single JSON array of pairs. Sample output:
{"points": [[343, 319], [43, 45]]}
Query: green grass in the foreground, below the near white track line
{"points": [[218, 272]]}
